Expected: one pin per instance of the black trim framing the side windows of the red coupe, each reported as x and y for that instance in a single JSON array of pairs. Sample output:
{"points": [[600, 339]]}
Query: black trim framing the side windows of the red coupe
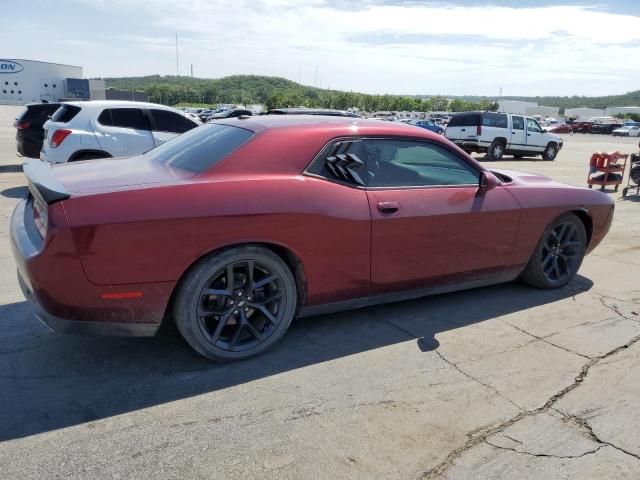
{"points": [[322, 154]]}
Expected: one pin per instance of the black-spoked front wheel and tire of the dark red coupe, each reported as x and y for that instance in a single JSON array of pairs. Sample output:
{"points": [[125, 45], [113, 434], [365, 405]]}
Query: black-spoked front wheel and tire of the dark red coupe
{"points": [[558, 255]]}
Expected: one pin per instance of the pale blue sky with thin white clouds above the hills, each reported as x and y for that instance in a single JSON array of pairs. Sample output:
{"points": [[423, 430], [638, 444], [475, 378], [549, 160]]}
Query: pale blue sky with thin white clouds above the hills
{"points": [[373, 46]]}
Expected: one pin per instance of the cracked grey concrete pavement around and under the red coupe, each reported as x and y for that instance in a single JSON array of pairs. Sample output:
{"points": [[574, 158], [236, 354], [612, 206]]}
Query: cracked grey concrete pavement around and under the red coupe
{"points": [[498, 382]]}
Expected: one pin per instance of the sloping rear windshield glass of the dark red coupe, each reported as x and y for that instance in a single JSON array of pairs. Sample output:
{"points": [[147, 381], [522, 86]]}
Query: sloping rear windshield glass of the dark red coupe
{"points": [[200, 148]]}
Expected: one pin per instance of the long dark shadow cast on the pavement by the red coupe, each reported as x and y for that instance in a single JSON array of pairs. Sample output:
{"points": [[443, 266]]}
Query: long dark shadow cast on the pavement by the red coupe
{"points": [[50, 381]]}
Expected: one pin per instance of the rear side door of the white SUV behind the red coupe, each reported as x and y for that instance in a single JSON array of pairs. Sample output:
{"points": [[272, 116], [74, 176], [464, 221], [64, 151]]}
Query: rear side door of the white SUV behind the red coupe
{"points": [[124, 132]]}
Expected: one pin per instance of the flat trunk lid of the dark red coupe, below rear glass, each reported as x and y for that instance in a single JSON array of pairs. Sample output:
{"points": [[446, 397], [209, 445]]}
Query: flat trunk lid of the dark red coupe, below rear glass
{"points": [[109, 174]]}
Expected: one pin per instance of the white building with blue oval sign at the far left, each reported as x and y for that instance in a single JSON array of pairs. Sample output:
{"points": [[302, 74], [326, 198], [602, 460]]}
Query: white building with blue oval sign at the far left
{"points": [[27, 81]]}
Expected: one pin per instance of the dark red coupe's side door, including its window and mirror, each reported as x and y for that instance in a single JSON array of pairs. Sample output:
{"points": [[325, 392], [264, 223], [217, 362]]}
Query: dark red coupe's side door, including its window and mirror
{"points": [[429, 225]]}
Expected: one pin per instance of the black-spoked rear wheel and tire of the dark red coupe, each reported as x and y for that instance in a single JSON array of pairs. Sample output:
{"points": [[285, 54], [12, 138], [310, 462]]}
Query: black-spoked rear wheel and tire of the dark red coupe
{"points": [[256, 314]]}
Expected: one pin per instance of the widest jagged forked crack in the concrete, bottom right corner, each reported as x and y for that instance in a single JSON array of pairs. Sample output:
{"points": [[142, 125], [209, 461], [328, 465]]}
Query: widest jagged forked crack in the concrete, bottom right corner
{"points": [[473, 441]]}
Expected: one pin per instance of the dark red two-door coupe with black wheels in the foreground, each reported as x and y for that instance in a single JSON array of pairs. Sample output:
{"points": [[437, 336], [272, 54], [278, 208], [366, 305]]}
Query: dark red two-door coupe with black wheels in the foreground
{"points": [[234, 228]]}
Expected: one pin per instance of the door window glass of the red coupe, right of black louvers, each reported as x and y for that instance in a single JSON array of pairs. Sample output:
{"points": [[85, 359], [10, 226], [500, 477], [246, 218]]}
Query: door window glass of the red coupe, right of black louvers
{"points": [[402, 163]]}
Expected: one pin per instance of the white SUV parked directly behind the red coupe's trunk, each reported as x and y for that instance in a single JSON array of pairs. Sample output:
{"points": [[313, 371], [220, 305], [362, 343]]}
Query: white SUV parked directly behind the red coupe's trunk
{"points": [[102, 129]]}
